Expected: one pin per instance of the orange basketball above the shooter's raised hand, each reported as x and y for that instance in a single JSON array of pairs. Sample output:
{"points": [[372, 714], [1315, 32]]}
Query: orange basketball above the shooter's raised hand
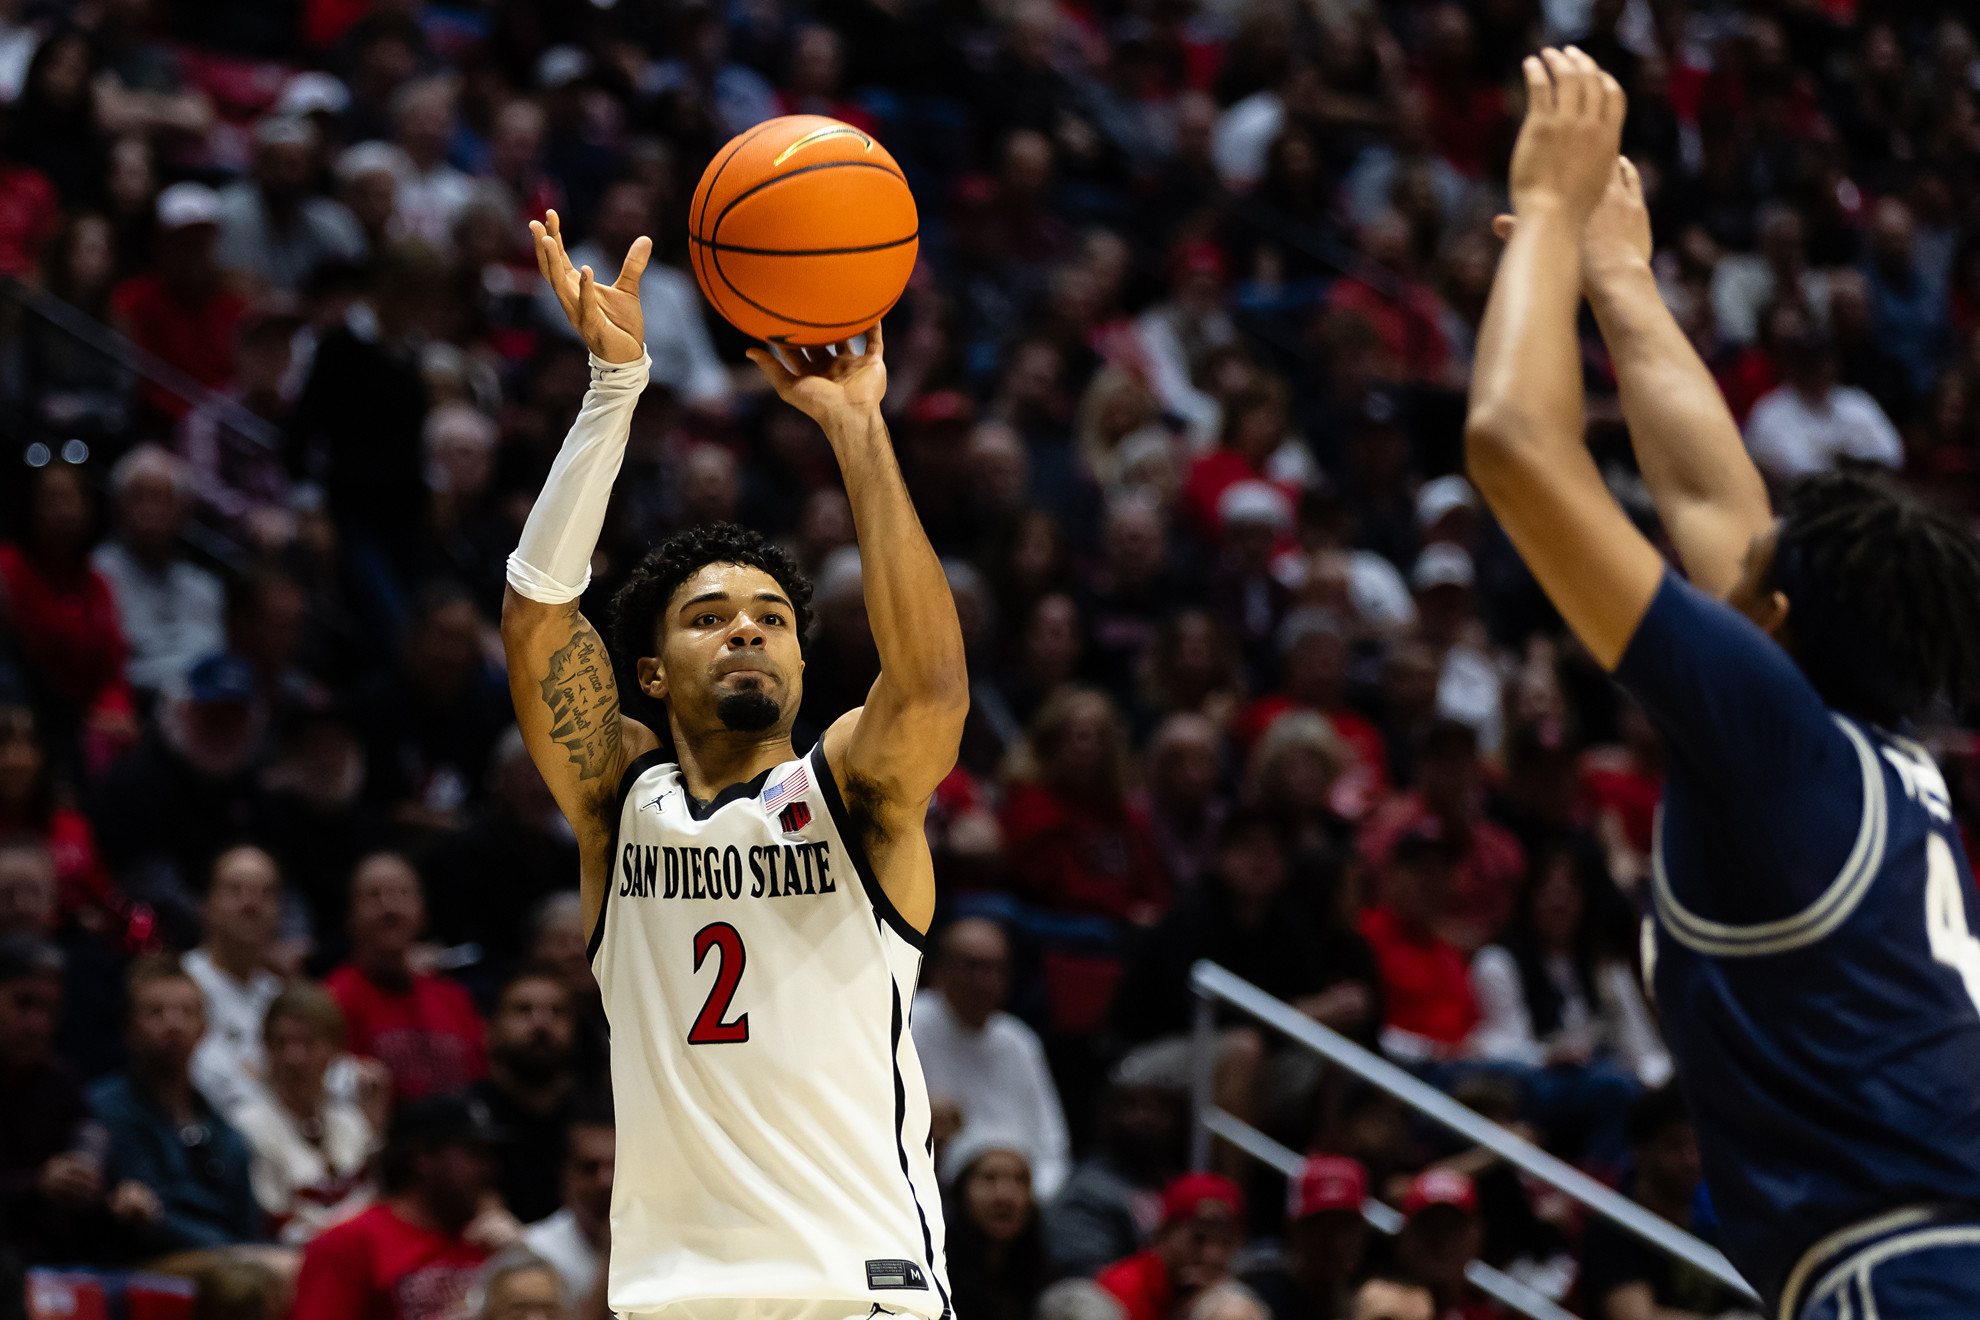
{"points": [[803, 231]]}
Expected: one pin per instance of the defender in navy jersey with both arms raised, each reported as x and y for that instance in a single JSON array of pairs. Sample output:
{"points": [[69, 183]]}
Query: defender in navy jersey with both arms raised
{"points": [[1815, 947]]}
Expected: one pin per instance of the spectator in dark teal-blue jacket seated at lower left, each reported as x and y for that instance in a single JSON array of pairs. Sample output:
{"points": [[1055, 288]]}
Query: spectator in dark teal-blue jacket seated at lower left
{"points": [[161, 1131]]}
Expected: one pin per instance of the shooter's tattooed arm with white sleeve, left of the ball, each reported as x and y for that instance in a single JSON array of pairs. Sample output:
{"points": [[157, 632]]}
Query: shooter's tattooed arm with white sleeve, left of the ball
{"points": [[559, 668]]}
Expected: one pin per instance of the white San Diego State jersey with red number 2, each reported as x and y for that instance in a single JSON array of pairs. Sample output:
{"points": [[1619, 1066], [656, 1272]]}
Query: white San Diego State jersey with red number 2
{"points": [[773, 1123]]}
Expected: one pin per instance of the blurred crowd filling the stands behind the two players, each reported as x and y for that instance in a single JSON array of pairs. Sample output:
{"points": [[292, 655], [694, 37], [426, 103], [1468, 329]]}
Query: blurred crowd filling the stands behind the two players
{"points": [[294, 983]]}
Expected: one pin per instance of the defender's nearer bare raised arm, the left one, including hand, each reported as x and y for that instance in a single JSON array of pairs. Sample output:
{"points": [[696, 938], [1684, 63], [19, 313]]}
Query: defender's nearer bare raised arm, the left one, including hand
{"points": [[1524, 436]]}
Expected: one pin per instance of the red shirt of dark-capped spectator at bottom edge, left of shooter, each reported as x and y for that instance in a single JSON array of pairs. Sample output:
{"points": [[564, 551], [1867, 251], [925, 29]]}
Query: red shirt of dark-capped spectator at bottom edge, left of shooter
{"points": [[379, 1268]]}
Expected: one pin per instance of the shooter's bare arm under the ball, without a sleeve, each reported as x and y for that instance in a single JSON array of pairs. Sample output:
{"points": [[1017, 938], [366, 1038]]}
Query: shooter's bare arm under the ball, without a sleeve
{"points": [[892, 755]]}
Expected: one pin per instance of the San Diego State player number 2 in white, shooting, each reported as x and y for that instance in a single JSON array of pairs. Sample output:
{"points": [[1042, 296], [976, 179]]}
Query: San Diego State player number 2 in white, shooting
{"points": [[757, 915]]}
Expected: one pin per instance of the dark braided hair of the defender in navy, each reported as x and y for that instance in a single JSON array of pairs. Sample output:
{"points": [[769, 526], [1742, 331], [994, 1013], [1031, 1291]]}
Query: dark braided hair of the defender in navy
{"points": [[1884, 595]]}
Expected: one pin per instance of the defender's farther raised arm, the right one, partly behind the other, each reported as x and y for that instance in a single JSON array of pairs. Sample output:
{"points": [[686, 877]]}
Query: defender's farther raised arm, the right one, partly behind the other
{"points": [[1708, 492]]}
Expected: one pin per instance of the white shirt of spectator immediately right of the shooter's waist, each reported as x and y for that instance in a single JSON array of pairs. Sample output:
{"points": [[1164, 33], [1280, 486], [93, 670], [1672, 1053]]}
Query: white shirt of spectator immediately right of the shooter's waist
{"points": [[1001, 1082]]}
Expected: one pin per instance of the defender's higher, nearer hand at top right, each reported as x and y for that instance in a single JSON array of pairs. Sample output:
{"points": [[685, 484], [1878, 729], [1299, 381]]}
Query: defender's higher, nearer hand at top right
{"points": [[1567, 147]]}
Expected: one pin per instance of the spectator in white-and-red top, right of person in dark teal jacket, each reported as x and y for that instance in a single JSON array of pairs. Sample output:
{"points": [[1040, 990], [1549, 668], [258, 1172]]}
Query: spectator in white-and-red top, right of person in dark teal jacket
{"points": [[312, 1149]]}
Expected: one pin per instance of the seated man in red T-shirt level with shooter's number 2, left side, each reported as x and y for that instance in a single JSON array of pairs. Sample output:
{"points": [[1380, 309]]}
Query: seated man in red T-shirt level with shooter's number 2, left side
{"points": [[421, 1026]]}
